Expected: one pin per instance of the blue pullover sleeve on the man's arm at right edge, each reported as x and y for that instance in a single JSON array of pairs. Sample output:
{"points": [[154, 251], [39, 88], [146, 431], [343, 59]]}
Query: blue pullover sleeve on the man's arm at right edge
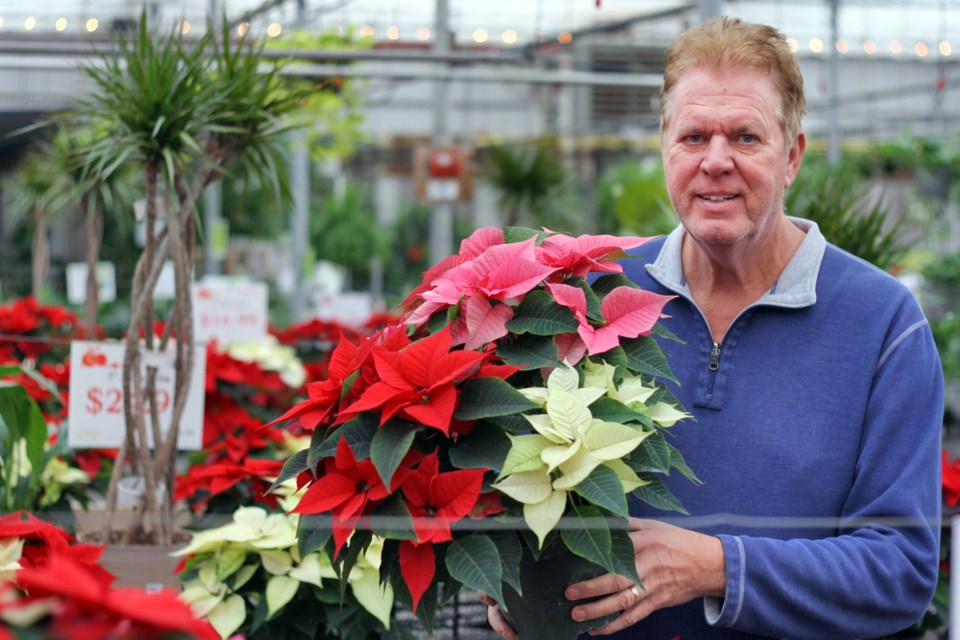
{"points": [[877, 575]]}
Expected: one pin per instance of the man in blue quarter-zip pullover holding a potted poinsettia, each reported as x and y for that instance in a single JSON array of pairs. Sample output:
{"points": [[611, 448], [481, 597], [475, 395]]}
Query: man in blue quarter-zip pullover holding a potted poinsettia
{"points": [[812, 376]]}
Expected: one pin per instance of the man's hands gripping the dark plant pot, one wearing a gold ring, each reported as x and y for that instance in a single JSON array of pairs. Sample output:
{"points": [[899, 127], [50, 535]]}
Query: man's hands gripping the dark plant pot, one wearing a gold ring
{"points": [[675, 566]]}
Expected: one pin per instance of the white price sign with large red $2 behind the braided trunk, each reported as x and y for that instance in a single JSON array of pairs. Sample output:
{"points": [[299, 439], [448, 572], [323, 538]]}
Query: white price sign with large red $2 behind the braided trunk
{"points": [[96, 396]]}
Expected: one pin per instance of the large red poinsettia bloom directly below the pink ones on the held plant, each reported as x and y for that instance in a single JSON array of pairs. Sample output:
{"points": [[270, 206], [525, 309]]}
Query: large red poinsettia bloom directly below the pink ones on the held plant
{"points": [[418, 382]]}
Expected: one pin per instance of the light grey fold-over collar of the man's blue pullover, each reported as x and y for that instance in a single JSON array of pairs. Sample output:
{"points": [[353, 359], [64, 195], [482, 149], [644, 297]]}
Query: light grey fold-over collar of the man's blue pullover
{"points": [[796, 287]]}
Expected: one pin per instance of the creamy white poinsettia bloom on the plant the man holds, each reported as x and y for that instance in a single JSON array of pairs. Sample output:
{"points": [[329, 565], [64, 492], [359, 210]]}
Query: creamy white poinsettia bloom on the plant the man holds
{"points": [[569, 443]]}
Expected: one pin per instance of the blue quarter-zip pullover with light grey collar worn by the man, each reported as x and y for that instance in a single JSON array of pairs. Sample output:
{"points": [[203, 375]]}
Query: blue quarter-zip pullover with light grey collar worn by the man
{"points": [[817, 438]]}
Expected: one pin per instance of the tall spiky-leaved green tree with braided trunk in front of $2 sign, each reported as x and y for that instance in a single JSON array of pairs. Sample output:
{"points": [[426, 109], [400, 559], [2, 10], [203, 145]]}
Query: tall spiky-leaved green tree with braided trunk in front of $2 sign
{"points": [[184, 114]]}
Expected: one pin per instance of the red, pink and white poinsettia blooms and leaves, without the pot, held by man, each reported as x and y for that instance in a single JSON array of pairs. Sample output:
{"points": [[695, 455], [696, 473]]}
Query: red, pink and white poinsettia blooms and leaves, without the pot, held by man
{"points": [[517, 405]]}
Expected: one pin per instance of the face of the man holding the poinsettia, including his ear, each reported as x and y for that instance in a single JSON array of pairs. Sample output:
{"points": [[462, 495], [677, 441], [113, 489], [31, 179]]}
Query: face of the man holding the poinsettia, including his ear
{"points": [[724, 155]]}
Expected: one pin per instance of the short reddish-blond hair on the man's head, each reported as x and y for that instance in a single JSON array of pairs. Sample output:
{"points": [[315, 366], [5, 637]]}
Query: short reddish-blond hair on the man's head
{"points": [[730, 43]]}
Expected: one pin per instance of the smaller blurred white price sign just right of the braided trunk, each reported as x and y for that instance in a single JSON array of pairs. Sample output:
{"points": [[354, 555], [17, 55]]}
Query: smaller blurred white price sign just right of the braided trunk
{"points": [[230, 313]]}
